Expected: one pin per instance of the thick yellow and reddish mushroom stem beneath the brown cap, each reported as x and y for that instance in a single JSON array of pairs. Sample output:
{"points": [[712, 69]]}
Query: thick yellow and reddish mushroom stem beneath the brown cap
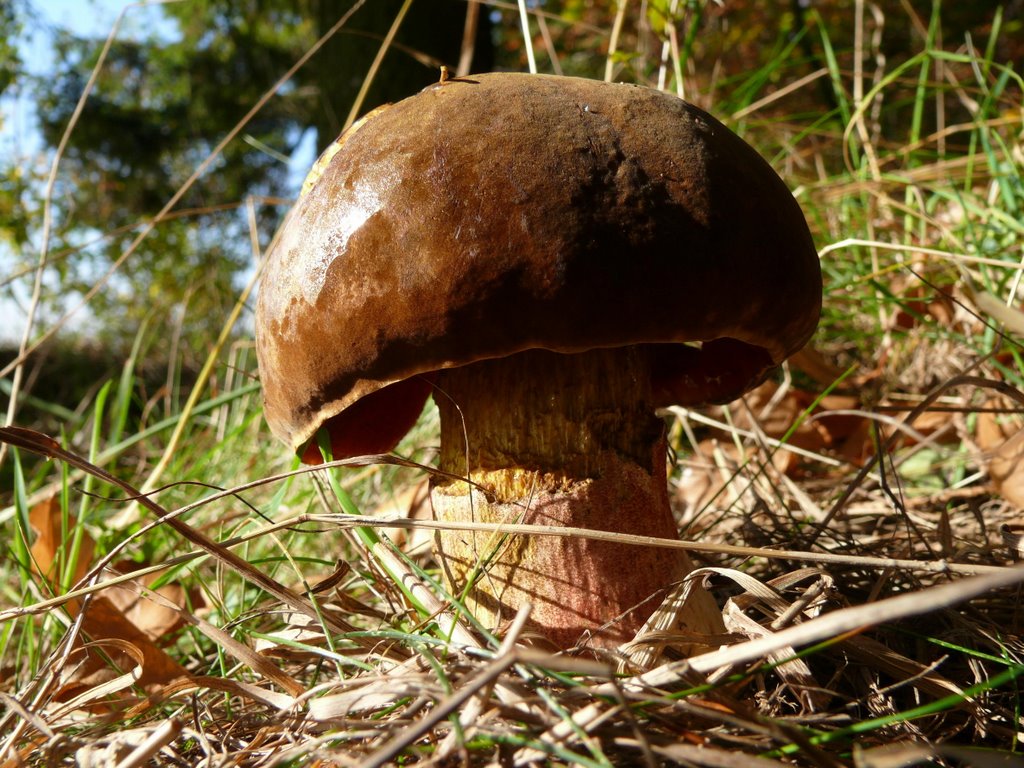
{"points": [[564, 441]]}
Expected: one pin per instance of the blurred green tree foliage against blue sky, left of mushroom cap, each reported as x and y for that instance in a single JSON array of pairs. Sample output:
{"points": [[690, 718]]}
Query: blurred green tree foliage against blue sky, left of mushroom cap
{"points": [[164, 100]]}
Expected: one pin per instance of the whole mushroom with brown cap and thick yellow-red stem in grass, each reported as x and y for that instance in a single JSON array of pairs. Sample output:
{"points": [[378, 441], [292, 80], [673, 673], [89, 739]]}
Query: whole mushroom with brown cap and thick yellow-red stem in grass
{"points": [[553, 260]]}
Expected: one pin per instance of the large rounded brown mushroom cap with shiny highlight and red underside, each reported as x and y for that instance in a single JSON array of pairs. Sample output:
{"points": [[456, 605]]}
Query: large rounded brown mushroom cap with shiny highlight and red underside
{"points": [[499, 214]]}
